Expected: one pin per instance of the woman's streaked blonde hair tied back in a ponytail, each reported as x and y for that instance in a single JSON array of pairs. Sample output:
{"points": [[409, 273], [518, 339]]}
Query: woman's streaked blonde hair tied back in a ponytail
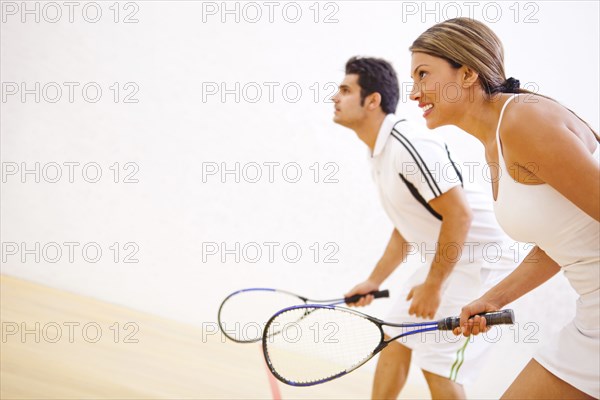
{"points": [[465, 41]]}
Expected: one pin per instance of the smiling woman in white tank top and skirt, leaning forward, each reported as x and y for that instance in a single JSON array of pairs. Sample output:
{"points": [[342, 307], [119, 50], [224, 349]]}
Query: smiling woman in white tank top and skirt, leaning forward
{"points": [[545, 170]]}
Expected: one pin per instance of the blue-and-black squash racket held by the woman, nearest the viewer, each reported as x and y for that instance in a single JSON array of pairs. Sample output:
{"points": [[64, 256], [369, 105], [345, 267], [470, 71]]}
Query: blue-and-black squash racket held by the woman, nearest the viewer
{"points": [[319, 343]]}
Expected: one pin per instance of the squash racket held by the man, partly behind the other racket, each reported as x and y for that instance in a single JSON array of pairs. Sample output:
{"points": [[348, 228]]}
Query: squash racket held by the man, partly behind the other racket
{"points": [[244, 313]]}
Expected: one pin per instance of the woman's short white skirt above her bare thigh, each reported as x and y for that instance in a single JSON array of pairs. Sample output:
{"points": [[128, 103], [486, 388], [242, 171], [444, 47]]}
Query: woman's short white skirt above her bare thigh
{"points": [[574, 355]]}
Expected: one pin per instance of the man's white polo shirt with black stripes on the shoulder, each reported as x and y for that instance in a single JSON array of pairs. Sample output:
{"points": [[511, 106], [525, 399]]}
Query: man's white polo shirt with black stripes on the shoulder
{"points": [[411, 167]]}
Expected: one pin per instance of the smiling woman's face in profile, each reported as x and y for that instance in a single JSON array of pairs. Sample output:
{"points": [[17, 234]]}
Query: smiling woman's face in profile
{"points": [[438, 88]]}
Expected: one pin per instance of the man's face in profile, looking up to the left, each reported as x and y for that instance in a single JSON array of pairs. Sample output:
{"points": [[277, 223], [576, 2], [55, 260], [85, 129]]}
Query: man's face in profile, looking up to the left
{"points": [[348, 111]]}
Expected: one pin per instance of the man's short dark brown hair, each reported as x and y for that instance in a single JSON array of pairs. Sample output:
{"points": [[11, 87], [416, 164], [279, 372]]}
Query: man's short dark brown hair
{"points": [[376, 75]]}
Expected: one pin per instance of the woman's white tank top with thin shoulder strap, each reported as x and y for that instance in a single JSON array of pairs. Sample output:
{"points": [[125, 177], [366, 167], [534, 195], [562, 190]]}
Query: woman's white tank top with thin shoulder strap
{"points": [[540, 214]]}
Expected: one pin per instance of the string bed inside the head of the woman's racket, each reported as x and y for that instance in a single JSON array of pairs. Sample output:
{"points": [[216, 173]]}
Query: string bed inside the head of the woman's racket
{"points": [[320, 344]]}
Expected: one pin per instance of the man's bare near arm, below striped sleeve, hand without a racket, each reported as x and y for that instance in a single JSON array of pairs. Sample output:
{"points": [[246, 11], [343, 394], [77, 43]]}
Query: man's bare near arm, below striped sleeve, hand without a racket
{"points": [[456, 221]]}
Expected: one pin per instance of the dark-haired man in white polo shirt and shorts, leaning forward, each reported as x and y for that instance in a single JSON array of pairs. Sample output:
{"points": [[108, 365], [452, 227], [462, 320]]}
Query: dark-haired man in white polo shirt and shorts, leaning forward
{"points": [[449, 222]]}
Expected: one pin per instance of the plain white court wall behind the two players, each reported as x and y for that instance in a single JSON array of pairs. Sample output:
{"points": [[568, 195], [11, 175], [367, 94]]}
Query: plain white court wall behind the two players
{"points": [[162, 114]]}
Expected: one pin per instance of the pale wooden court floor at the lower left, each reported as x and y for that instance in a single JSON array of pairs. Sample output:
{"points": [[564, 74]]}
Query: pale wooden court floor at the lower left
{"points": [[59, 345]]}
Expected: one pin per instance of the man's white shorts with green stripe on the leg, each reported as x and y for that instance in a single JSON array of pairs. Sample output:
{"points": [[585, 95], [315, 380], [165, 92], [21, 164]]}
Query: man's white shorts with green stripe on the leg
{"points": [[441, 352]]}
